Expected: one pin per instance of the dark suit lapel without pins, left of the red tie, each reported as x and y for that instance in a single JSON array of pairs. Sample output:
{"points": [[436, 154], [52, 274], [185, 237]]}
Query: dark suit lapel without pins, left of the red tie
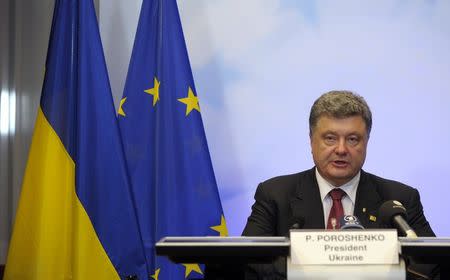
{"points": [[307, 203]]}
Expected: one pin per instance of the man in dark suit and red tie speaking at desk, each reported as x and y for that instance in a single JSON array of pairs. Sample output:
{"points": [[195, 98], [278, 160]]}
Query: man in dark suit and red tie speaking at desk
{"points": [[340, 123]]}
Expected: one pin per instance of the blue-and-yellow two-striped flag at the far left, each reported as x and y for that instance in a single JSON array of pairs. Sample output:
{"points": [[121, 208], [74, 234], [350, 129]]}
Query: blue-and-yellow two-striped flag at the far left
{"points": [[76, 216]]}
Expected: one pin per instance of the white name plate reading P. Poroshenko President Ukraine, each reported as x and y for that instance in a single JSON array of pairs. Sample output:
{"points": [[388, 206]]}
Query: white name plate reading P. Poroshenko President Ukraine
{"points": [[312, 247]]}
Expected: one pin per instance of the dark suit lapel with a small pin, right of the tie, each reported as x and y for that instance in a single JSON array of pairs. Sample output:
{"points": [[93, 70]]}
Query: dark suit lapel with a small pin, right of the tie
{"points": [[367, 202]]}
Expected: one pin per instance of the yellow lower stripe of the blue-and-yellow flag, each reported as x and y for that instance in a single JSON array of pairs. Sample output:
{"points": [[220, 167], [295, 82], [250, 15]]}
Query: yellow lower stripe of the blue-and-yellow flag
{"points": [[53, 237]]}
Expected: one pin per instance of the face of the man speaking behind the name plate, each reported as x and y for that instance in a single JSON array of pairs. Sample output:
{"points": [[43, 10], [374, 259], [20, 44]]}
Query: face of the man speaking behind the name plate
{"points": [[339, 147]]}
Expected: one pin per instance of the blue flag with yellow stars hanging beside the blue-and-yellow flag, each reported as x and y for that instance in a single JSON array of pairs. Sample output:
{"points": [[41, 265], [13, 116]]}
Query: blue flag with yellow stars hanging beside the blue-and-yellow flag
{"points": [[165, 145]]}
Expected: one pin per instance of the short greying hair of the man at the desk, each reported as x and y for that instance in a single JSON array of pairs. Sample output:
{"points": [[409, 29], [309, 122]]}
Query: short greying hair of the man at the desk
{"points": [[340, 104]]}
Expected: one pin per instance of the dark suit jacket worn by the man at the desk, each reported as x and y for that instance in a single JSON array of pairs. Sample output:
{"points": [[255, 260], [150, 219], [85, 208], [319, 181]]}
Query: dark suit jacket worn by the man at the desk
{"points": [[282, 201]]}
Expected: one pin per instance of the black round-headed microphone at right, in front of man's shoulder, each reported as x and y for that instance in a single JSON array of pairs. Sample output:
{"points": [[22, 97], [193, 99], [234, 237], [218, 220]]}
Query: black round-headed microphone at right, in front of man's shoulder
{"points": [[393, 213]]}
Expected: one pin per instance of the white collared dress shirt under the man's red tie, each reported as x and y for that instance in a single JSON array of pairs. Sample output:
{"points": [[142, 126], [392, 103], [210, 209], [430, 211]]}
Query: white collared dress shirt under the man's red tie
{"points": [[348, 201]]}
